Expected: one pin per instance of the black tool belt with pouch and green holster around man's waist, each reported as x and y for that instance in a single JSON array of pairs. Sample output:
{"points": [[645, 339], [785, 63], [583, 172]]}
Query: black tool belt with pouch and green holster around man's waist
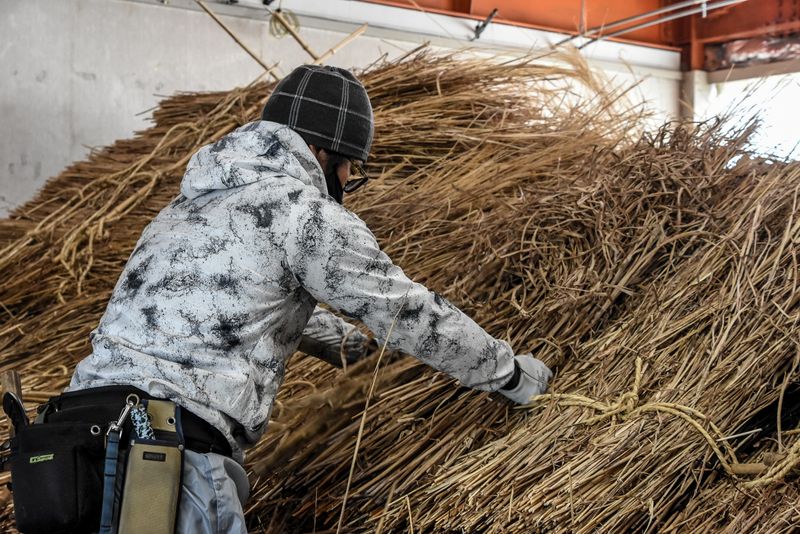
{"points": [[85, 457]]}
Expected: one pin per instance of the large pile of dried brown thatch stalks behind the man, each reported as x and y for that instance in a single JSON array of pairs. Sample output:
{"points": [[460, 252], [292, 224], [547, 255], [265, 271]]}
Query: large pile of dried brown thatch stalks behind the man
{"points": [[655, 271]]}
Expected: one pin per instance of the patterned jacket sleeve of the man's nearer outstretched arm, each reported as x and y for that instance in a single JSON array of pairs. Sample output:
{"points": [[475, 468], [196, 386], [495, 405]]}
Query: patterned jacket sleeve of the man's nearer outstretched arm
{"points": [[335, 257]]}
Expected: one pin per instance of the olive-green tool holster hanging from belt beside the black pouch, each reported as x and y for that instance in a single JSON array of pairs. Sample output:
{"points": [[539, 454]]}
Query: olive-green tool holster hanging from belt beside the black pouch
{"points": [[153, 474]]}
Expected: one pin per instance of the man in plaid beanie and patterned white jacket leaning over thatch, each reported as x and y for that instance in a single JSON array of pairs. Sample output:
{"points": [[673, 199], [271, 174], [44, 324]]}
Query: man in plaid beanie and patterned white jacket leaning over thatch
{"points": [[223, 283]]}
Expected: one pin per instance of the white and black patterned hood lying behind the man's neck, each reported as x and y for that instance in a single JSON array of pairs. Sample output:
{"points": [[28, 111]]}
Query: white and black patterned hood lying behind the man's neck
{"points": [[252, 153]]}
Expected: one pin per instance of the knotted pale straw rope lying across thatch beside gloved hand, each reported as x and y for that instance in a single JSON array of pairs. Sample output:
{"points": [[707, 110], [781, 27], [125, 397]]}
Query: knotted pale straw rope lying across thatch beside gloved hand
{"points": [[627, 406]]}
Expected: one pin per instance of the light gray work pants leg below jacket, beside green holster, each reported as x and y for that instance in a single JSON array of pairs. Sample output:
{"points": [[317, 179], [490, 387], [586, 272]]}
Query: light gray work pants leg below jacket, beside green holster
{"points": [[214, 490]]}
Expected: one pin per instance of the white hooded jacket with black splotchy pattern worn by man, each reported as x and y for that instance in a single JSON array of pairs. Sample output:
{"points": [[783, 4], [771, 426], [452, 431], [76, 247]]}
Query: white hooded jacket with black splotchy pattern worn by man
{"points": [[223, 281]]}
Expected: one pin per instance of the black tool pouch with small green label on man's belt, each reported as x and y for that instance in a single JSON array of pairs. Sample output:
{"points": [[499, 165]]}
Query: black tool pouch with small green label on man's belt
{"points": [[57, 477]]}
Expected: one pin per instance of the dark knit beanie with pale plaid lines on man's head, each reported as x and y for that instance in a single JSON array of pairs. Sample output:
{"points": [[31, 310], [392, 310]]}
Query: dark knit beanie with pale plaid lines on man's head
{"points": [[327, 106]]}
